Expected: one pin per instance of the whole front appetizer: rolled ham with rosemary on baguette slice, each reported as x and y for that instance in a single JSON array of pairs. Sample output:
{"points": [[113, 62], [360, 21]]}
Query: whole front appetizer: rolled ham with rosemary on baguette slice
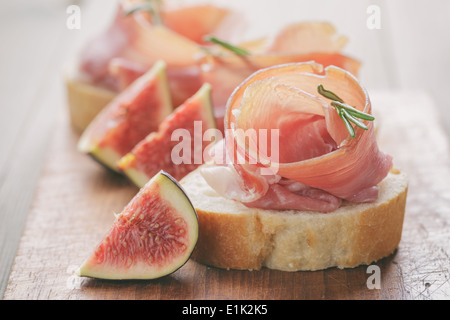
{"points": [[324, 196]]}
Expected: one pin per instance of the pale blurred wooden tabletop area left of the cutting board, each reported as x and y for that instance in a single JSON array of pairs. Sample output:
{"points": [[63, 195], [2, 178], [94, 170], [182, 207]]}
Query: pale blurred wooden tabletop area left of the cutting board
{"points": [[35, 46]]}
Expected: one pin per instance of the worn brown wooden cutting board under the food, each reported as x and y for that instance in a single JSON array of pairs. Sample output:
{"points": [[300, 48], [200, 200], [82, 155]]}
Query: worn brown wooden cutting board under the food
{"points": [[76, 198]]}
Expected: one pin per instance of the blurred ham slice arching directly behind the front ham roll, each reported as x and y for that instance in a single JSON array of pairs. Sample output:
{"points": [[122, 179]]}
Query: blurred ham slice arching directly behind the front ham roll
{"points": [[301, 42]]}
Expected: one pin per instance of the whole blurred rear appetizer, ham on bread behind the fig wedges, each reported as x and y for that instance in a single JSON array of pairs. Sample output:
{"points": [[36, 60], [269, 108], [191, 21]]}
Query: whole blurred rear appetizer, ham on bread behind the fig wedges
{"points": [[185, 38]]}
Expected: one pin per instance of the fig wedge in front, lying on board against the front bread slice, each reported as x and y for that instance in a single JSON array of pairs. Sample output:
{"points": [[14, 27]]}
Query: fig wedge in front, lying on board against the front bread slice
{"points": [[153, 236]]}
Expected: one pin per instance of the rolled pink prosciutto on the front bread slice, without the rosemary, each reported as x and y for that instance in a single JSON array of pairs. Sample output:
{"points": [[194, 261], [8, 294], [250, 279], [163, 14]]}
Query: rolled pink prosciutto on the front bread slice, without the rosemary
{"points": [[315, 149]]}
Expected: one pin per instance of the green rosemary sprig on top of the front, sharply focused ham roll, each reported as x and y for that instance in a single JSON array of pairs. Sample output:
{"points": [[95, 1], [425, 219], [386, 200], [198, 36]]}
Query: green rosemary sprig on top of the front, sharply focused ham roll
{"points": [[346, 112]]}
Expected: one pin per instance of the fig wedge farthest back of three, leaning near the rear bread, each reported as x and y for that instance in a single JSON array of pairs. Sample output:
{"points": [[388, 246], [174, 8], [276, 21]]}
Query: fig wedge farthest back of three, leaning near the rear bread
{"points": [[128, 118]]}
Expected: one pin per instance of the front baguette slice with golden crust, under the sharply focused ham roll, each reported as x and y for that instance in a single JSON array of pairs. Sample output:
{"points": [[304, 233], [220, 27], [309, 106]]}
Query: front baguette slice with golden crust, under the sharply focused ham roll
{"points": [[232, 236]]}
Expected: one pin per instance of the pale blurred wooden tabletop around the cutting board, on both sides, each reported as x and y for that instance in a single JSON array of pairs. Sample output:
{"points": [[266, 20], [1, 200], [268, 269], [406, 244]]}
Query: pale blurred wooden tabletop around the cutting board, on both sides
{"points": [[410, 52]]}
